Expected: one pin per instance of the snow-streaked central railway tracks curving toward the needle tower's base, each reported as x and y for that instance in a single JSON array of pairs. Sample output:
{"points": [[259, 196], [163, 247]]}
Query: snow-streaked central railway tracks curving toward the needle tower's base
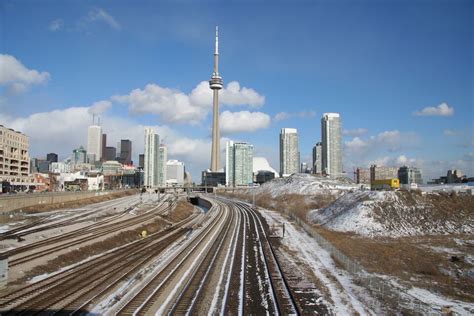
{"points": [[248, 273]]}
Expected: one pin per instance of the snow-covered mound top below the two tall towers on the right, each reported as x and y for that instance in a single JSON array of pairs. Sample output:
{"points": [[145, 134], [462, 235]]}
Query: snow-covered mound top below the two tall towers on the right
{"points": [[308, 184]]}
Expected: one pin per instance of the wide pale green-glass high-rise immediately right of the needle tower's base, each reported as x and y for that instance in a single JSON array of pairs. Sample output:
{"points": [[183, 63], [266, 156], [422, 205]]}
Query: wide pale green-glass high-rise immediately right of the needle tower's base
{"points": [[239, 164]]}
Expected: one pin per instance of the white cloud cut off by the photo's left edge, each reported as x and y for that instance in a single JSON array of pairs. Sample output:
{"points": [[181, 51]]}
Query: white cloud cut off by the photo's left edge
{"points": [[16, 77]]}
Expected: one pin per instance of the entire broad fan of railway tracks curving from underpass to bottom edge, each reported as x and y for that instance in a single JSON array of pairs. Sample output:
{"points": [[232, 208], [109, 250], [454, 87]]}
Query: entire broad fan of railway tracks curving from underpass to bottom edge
{"points": [[221, 262]]}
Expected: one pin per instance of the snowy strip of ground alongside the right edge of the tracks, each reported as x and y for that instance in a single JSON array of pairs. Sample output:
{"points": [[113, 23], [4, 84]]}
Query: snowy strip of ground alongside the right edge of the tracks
{"points": [[347, 297]]}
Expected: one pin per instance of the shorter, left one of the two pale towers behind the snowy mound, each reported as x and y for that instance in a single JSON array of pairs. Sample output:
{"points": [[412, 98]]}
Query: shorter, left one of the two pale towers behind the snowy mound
{"points": [[289, 152]]}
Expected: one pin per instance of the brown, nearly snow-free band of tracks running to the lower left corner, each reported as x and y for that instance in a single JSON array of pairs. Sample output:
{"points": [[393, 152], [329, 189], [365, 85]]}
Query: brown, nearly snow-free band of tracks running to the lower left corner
{"points": [[74, 288]]}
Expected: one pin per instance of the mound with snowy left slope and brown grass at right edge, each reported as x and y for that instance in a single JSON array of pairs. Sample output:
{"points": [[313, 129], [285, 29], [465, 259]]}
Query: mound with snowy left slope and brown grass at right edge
{"points": [[397, 214]]}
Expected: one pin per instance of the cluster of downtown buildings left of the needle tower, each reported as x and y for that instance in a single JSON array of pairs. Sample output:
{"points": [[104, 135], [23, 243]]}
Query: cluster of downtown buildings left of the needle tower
{"points": [[93, 167]]}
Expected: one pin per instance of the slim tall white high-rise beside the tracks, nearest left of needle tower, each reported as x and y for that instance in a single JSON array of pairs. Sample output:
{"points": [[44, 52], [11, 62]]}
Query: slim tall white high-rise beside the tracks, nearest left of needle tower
{"points": [[151, 168]]}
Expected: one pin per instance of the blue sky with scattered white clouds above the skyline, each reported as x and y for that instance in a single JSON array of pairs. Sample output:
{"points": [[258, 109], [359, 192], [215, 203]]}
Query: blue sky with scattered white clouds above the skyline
{"points": [[400, 73]]}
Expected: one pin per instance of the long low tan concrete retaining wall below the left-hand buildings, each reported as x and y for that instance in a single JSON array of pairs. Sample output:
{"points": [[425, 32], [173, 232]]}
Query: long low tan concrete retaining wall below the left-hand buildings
{"points": [[15, 202]]}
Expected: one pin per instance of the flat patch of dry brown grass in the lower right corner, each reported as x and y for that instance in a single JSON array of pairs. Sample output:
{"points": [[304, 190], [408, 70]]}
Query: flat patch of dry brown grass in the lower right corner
{"points": [[411, 259]]}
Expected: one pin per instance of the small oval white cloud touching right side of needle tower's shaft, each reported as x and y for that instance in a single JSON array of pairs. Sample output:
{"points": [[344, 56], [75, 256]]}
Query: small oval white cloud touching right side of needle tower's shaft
{"points": [[243, 121]]}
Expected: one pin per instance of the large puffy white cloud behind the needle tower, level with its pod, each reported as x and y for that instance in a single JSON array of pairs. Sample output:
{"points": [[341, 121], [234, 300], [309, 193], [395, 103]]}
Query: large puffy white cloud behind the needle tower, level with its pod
{"points": [[174, 106]]}
